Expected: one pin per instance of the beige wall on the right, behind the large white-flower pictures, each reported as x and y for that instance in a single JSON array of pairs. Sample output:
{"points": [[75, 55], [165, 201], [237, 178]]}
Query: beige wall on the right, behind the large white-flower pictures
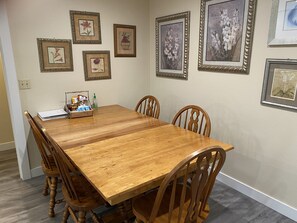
{"points": [[264, 138]]}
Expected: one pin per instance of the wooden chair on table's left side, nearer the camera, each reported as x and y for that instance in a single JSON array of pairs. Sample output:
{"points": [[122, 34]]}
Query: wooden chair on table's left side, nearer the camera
{"points": [[79, 194]]}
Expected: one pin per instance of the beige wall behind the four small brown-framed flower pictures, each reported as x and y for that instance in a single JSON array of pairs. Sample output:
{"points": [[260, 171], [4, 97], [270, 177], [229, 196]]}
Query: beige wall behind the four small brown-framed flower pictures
{"points": [[31, 19]]}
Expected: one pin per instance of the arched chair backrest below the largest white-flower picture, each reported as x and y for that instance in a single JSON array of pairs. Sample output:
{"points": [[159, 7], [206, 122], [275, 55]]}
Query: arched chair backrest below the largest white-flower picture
{"points": [[193, 118]]}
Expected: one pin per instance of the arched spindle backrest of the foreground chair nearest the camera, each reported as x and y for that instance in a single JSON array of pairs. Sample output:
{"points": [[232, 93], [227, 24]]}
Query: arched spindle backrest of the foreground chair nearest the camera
{"points": [[202, 168]]}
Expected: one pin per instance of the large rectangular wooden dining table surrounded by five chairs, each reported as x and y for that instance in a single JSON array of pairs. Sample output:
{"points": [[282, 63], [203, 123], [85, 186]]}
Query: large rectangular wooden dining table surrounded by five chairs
{"points": [[123, 153]]}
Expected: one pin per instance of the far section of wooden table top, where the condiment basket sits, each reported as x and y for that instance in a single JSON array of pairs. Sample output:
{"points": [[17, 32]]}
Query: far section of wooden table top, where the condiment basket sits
{"points": [[107, 122]]}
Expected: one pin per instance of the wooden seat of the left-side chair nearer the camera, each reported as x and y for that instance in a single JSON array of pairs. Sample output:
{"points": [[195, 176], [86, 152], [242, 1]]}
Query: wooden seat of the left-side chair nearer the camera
{"points": [[89, 198]]}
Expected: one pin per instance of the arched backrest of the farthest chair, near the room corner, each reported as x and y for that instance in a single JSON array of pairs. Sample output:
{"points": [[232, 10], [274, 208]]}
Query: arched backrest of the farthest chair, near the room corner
{"points": [[149, 105]]}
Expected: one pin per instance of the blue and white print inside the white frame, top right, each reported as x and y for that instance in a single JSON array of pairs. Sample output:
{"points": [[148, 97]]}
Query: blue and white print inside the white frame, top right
{"points": [[290, 21]]}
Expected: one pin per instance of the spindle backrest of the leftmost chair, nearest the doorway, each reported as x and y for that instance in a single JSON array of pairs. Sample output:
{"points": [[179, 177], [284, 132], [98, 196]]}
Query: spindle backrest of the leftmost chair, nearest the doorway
{"points": [[42, 143]]}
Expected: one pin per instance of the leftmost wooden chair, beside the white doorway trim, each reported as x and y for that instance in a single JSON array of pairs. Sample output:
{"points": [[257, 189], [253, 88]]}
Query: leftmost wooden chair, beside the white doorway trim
{"points": [[47, 163]]}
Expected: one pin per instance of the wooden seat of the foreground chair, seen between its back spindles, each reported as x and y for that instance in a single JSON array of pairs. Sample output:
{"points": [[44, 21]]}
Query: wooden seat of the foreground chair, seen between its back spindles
{"points": [[142, 206]]}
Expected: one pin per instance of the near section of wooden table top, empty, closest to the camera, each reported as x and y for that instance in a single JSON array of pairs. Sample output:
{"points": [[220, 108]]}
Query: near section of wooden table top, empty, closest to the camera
{"points": [[125, 166]]}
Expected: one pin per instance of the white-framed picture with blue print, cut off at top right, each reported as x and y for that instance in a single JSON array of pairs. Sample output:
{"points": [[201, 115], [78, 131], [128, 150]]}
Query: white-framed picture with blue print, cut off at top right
{"points": [[283, 23]]}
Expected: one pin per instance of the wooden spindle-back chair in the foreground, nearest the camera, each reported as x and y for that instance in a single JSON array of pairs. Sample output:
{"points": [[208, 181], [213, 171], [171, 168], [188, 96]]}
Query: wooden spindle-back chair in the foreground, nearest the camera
{"points": [[176, 200]]}
